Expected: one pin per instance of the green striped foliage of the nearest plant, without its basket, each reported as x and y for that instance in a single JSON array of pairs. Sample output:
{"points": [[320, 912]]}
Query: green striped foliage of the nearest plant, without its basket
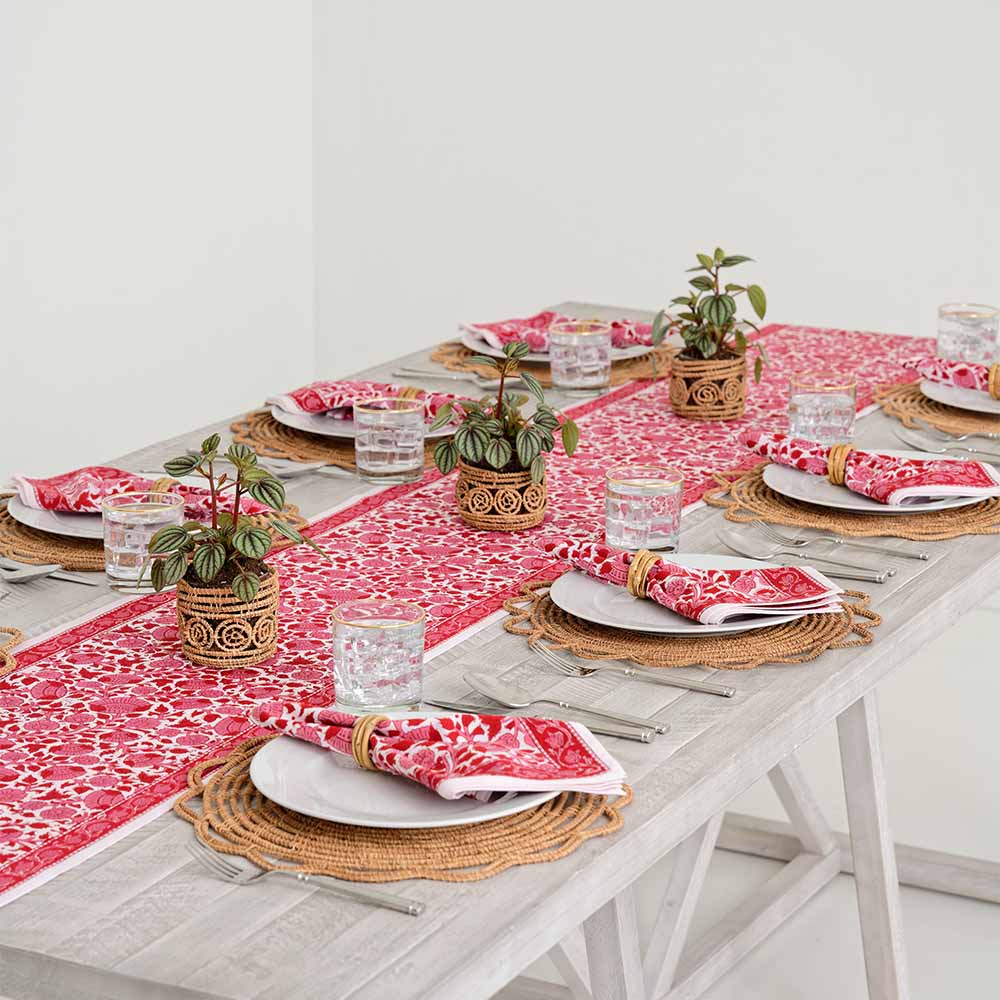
{"points": [[232, 548]]}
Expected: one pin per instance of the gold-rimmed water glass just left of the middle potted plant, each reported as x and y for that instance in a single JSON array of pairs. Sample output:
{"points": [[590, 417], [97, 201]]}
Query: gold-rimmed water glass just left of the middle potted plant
{"points": [[389, 440]]}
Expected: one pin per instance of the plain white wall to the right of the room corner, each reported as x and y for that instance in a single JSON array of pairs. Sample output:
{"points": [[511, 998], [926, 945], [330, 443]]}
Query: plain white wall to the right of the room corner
{"points": [[475, 159]]}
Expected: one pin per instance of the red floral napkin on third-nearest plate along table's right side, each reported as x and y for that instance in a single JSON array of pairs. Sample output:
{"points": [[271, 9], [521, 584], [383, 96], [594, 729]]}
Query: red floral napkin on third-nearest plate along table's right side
{"points": [[883, 478]]}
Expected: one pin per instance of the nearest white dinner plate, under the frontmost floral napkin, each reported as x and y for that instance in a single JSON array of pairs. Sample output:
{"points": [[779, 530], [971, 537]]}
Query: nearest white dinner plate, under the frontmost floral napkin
{"points": [[328, 785]]}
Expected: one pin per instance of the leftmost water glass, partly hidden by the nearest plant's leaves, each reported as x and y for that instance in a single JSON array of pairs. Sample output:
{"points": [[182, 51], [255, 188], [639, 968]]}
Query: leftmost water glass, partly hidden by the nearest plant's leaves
{"points": [[130, 520]]}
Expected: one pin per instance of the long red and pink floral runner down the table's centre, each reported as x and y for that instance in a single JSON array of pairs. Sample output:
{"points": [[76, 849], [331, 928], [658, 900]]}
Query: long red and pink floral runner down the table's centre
{"points": [[101, 721]]}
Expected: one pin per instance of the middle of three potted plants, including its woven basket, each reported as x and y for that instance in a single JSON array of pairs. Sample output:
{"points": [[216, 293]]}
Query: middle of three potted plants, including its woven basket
{"points": [[500, 452]]}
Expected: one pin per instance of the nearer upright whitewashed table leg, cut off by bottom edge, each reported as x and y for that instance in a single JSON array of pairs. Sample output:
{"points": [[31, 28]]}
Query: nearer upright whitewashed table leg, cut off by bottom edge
{"points": [[613, 950]]}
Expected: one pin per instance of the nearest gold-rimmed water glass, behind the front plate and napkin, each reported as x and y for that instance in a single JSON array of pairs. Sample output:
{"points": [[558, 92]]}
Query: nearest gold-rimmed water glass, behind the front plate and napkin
{"points": [[378, 655]]}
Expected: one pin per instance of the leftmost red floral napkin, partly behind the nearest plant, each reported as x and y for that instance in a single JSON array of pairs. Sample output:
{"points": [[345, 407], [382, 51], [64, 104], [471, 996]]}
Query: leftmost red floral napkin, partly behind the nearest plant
{"points": [[82, 491]]}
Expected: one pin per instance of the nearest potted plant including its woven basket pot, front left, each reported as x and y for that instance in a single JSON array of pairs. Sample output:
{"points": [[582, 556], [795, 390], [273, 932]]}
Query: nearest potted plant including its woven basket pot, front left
{"points": [[227, 596]]}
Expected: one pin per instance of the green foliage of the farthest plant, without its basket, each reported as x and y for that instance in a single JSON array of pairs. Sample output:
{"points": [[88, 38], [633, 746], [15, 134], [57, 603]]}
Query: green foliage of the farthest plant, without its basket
{"points": [[707, 321]]}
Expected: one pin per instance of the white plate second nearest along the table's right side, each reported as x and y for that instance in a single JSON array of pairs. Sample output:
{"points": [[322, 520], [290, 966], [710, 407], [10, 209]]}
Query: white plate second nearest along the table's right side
{"points": [[593, 601]]}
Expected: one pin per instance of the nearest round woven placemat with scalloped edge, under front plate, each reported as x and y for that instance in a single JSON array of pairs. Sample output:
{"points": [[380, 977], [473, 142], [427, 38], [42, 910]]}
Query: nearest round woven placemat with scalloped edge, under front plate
{"points": [[234, 818]]}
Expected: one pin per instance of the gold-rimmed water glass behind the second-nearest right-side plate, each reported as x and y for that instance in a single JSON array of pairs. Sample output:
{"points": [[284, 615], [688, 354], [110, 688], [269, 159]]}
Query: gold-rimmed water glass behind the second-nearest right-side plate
{"points": [[642, 507]]}
